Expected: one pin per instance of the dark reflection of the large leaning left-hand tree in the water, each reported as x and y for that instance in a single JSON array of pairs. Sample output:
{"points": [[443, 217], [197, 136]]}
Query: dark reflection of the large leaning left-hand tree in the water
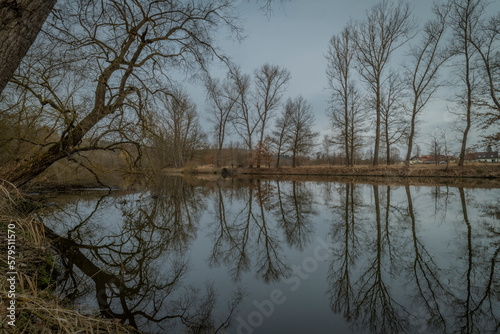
{"points": [[136, 266]]}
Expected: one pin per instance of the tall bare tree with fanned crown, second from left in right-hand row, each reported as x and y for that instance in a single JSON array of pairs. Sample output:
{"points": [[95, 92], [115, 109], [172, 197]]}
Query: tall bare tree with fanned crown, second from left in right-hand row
{"points": [[388, 25]]}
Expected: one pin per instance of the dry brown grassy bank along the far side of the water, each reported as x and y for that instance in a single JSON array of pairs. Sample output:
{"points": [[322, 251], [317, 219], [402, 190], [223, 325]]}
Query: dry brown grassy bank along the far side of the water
{"points": [[481, 174]]}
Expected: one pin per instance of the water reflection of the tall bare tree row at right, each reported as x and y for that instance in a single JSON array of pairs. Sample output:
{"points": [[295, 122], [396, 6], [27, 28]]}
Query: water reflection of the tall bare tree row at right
{"points": [[366, 278]]}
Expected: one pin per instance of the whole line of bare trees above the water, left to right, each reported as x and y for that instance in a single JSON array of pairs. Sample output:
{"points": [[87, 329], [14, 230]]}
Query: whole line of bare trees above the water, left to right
{"points": [[101, 77]]}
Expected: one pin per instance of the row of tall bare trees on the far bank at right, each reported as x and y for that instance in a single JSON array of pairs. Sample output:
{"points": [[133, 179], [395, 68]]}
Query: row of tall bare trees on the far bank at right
{"points": [[365, 82]]}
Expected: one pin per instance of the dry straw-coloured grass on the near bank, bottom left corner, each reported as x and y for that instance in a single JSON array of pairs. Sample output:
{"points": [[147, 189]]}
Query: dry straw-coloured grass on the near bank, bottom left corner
{"points": [[37, 307]]}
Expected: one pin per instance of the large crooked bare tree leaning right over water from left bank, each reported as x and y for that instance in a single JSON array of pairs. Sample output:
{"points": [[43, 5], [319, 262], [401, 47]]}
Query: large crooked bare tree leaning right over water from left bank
{"points": [[123, 49]]}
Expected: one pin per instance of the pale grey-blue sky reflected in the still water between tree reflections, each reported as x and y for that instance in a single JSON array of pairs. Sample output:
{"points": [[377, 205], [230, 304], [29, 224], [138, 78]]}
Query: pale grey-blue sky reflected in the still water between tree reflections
{"points": [[439, 226]]}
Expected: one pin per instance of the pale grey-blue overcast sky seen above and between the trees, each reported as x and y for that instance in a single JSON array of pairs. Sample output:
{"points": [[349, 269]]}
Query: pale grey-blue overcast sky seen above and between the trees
{"points": [[296, 36]]}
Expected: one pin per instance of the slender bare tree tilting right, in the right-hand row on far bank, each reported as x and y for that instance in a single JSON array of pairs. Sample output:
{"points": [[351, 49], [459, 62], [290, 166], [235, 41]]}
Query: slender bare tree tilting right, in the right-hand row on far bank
{"points": [[421, 75]]}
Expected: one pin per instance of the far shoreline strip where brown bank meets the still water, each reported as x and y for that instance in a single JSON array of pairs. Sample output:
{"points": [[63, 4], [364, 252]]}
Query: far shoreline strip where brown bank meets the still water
{"points": [[483, 175]]}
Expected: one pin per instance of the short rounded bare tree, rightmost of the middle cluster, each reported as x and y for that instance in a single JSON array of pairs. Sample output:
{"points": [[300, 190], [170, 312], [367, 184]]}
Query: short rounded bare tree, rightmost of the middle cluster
{"points": [[300, 137]]}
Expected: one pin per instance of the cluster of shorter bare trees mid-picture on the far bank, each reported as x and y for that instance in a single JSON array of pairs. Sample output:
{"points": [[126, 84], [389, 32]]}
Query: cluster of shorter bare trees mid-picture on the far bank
{"points": [[246, 107]]}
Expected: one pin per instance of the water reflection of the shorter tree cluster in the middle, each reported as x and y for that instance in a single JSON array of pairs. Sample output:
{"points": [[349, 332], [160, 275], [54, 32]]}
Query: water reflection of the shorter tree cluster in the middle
{"points": [[252, 227]]}
